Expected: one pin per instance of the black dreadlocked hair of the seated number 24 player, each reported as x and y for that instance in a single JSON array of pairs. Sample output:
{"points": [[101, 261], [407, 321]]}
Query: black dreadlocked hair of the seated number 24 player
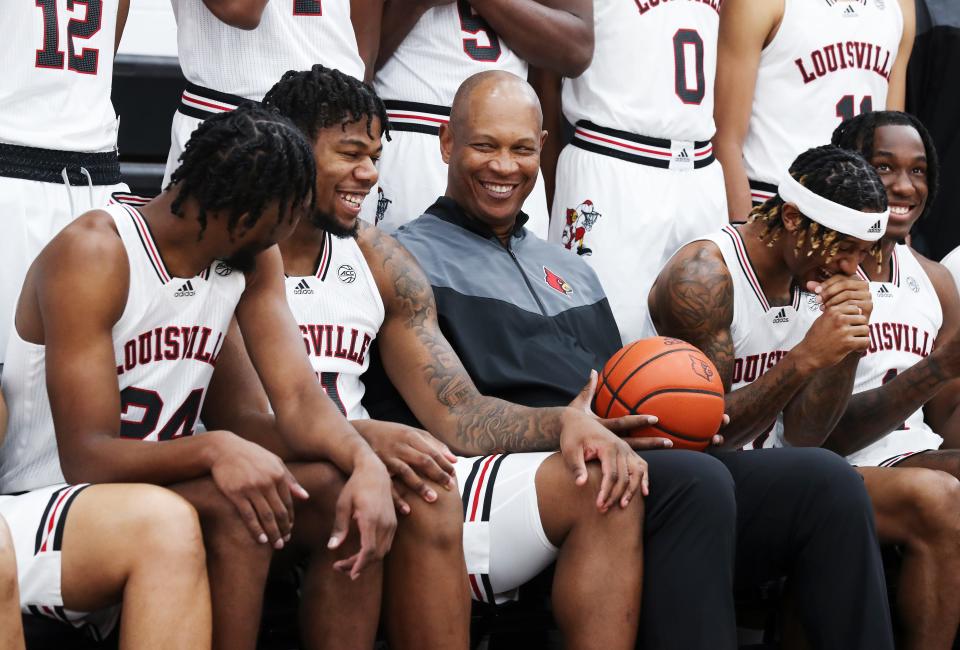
{"points": [[238, 163]]}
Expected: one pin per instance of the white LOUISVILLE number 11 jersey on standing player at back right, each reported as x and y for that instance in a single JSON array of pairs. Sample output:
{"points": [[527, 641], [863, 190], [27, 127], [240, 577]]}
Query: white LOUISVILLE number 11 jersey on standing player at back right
{"points": [[829, 60]]}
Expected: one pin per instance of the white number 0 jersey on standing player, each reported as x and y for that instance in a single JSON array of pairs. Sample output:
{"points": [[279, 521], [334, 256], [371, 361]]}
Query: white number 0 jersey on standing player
{"points": [[653, 69]]}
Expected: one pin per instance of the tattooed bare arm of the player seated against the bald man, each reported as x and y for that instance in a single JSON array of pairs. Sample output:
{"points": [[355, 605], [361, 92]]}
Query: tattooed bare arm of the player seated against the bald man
{"points": [[470, 423]]}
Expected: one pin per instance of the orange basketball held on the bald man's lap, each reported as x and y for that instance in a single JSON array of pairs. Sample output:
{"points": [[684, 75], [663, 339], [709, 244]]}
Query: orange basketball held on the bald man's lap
{"points": [[668, 378]]}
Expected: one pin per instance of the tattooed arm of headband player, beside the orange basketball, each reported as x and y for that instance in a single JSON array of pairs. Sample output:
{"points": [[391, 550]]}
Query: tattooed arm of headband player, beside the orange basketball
{"points": [[692, 300]]}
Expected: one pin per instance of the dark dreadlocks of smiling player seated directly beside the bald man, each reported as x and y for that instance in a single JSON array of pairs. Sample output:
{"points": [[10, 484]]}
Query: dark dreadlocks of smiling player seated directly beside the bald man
{"points": [[321, 97]]}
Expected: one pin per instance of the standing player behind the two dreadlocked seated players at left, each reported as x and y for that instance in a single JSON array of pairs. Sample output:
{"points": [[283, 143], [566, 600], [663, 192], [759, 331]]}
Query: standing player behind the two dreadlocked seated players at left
{"points": [[232, 52]]}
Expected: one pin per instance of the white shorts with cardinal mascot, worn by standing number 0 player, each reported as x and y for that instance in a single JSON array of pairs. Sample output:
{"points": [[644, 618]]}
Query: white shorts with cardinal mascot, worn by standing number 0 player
{"points": [[627, 218]]}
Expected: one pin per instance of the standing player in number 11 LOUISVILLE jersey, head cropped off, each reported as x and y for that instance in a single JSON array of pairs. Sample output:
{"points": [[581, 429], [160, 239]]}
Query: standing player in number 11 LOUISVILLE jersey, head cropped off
{"points": [[784, 85]]}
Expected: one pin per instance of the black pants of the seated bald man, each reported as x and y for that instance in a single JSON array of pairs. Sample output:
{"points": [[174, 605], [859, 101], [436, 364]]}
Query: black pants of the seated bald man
{"points": [[732, 521]]}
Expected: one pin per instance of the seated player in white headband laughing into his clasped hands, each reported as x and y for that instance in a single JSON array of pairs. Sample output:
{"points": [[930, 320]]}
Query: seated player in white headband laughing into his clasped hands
{"points": [[788, 368]]}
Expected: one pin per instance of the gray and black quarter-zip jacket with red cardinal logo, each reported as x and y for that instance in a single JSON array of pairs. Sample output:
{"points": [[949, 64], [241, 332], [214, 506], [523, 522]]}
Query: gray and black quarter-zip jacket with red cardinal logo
{"points": [[529, 319]]}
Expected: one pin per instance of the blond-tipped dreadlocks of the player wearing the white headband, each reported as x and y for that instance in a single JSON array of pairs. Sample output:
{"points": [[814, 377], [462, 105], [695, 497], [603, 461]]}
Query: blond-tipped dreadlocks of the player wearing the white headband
{"points": [[840, 175]]}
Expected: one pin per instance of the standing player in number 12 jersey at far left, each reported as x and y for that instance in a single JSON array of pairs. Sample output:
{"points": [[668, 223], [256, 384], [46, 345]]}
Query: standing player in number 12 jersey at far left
{"points": [[58, 129]]}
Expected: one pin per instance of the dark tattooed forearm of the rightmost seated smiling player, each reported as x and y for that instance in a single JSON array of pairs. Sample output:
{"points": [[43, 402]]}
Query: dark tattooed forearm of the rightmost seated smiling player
{"points": [[872, 414]]}
